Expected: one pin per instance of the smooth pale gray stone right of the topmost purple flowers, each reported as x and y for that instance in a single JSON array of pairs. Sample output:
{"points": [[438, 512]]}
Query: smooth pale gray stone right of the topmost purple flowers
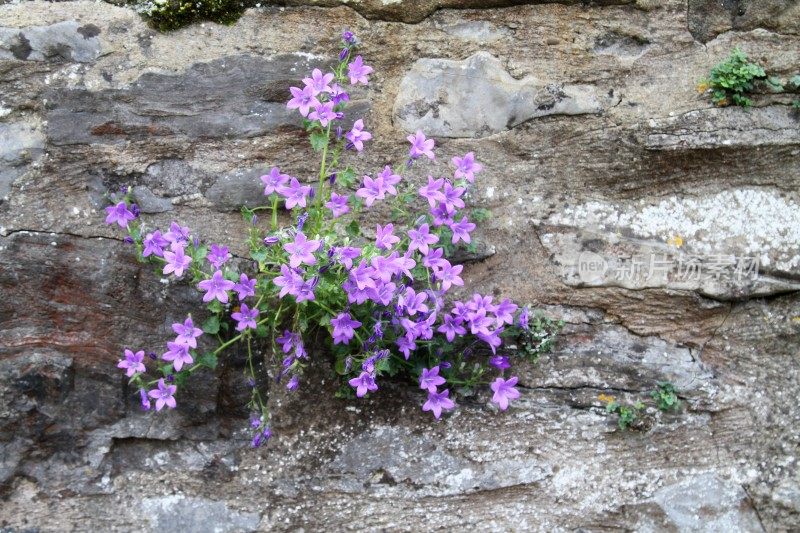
{"points": [[478, 97]]}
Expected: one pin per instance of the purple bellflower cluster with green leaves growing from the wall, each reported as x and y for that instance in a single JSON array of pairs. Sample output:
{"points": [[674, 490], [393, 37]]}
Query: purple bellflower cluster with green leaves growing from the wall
{"points": [[381, 300]]}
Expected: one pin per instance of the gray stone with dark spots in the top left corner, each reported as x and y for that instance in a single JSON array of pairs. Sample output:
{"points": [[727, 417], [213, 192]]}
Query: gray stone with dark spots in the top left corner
{"points": [[63, 41]]}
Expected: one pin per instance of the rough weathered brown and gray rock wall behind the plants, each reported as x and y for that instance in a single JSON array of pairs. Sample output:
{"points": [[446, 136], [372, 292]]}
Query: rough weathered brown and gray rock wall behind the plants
{"points": [[628, 163]]}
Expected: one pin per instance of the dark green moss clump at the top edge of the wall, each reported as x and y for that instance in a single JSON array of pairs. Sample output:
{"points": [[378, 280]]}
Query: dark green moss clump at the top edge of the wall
{"points": [[166, 15]]}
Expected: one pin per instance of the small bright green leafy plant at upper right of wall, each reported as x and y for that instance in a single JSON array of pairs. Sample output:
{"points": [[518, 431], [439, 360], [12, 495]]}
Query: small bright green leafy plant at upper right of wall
{"points": [[732, 80]]}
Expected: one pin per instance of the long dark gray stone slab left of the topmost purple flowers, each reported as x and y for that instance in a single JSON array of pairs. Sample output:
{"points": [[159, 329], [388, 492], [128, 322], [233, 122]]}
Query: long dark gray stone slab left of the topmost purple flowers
{"points": [[236, 96]]}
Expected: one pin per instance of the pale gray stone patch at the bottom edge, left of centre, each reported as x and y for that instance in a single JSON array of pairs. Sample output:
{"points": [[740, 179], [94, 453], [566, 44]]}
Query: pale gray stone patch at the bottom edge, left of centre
{"points": [[200, 515]]}
